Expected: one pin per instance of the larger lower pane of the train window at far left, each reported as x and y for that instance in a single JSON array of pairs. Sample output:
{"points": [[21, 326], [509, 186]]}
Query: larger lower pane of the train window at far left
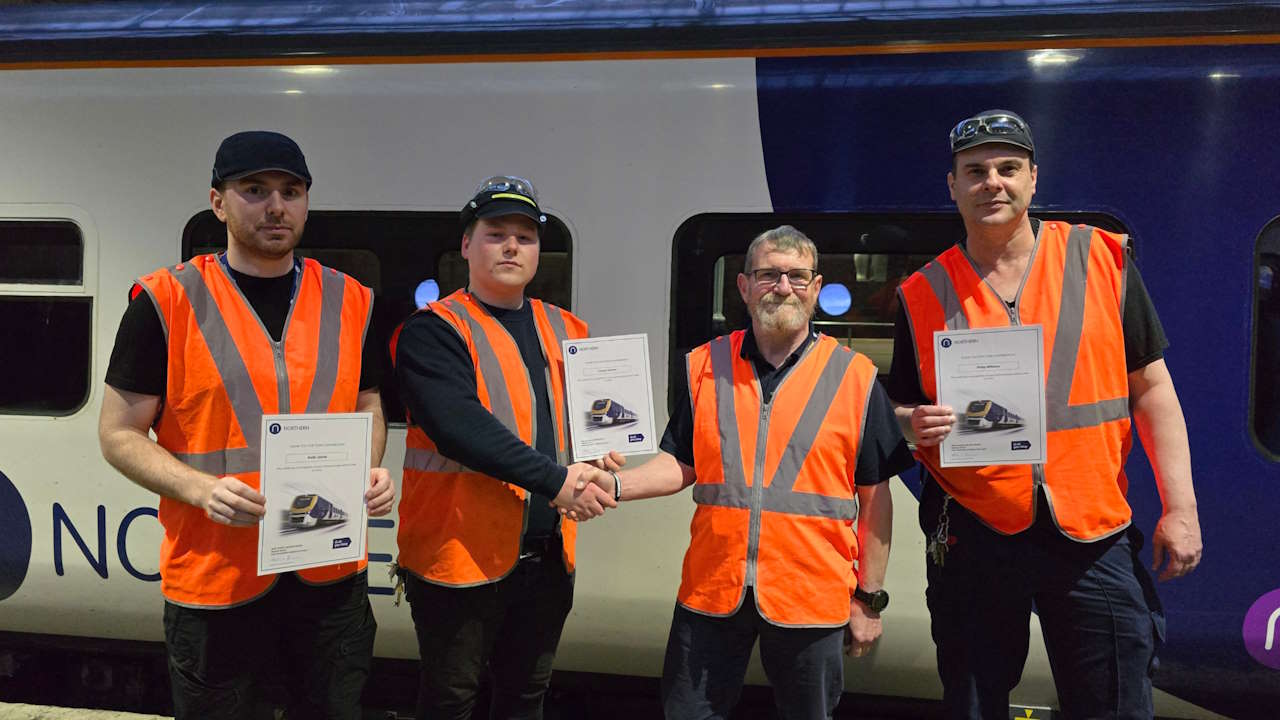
{"points": [[47, 359]]}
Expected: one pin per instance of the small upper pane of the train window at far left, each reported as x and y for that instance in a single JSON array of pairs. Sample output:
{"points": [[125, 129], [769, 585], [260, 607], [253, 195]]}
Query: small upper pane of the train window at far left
{"points": [[42, 253]]}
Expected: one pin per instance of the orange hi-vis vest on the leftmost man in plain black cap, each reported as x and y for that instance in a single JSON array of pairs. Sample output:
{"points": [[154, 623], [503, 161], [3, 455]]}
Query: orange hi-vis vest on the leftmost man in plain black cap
{"points": [[225, 373]]}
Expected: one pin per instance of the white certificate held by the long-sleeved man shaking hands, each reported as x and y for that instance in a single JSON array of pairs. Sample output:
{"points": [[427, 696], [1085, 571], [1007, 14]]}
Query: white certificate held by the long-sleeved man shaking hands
{"points": [[610, 394]]}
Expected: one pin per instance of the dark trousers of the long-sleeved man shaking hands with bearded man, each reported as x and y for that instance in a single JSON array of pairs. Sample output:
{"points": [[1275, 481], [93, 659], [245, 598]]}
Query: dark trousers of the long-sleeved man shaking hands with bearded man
{"points": [[511, 627]]}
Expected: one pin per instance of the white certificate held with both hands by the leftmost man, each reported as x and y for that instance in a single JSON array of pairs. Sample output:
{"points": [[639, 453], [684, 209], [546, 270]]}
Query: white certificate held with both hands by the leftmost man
{"points": [[316, 471]]}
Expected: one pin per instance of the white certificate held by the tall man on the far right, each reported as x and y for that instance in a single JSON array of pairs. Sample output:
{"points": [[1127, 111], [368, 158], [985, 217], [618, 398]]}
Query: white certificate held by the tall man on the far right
{"points": [[994, 379]]}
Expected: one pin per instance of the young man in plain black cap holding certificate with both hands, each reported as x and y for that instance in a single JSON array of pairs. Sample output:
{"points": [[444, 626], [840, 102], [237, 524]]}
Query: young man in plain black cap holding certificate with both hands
{"points": [[205, 349]]}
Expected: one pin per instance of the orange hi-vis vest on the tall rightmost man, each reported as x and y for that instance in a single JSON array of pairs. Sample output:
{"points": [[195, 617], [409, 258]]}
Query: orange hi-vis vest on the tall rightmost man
{"points": [[1075, 289]]}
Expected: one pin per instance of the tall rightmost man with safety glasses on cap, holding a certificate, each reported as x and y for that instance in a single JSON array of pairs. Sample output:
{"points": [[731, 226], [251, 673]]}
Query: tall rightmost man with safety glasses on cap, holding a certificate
{"points": [[1058, 536]]}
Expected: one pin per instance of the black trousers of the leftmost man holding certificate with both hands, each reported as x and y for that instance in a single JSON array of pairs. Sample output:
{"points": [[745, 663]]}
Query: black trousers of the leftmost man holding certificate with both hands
{"points": [[317, 640]]}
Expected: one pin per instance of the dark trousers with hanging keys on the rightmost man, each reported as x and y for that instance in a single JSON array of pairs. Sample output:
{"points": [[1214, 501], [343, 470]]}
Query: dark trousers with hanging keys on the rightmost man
{"points": [[1099, 612]]}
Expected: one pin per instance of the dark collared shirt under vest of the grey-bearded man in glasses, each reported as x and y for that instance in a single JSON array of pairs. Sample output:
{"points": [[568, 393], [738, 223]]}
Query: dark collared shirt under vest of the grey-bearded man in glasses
{"points": [[883, 452]]}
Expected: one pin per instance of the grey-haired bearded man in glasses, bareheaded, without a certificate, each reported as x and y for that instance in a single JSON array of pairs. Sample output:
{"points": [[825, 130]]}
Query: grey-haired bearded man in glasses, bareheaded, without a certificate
{"points": [[789, 443]]}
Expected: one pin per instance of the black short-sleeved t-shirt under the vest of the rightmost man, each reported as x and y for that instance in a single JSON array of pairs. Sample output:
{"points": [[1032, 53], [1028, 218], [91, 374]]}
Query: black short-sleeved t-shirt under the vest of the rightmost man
{"points": [[1145, 340]]}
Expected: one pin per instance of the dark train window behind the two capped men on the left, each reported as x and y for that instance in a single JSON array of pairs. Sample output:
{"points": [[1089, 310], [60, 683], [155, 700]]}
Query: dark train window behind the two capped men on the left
{"points": [[408, 258]]}
